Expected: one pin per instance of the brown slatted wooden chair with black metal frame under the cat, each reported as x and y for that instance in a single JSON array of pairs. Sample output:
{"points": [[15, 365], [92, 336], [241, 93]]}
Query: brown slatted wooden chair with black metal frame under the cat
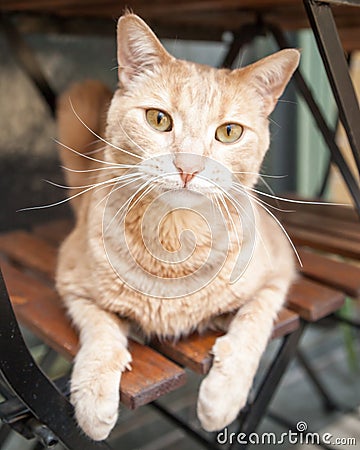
{"points": [[28, 260]]}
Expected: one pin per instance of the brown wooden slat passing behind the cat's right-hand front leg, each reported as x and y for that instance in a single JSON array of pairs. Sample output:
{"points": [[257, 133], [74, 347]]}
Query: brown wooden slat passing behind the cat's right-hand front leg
{"points": [[194, 352]]}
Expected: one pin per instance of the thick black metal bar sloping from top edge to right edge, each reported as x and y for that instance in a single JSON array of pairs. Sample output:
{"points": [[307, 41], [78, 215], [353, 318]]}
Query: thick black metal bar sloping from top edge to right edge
{"points": [[331, 51]]}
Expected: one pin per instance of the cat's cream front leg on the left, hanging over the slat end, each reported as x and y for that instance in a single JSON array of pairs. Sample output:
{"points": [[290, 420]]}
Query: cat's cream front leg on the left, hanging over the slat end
{"points": [[102, 357]]}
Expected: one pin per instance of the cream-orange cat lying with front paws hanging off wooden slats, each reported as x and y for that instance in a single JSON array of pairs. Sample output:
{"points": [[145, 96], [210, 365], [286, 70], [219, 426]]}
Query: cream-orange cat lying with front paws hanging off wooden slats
{"points": [[178, 147]]}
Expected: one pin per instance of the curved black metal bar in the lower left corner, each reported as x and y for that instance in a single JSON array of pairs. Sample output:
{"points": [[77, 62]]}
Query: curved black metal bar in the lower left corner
{"points": [[32, 387]]}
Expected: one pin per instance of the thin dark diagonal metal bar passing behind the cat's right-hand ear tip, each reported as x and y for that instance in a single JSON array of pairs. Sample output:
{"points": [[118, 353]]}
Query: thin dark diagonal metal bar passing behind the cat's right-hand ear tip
{"points": [[325, 130]]}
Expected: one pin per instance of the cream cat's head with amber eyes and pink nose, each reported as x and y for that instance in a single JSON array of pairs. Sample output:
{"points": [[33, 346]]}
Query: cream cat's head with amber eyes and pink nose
{"points": [[203, 119]]}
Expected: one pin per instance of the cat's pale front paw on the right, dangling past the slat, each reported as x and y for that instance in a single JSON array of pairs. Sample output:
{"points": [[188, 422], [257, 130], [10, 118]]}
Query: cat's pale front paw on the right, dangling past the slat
{"points": [[223, 393]]}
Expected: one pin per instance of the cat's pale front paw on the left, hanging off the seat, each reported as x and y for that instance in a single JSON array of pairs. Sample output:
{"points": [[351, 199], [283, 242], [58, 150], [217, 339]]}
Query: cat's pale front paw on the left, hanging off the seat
{"points": [[95, 396]]}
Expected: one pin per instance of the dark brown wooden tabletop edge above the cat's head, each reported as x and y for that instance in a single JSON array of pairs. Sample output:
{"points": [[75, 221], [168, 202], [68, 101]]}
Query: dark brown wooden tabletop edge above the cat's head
{"points": [[189, 19]]}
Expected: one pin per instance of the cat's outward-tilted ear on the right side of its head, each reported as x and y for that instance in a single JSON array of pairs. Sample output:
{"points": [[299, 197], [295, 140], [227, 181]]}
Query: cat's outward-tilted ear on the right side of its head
{"points": [[270, 75]]}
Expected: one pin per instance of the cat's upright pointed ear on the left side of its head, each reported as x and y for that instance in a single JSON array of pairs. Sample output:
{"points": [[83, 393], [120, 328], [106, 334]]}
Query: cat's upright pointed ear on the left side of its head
{"points": [[138, 49]]}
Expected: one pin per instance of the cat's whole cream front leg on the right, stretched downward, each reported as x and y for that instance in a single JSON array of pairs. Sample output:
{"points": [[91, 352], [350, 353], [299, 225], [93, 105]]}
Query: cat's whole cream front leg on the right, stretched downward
{"points": [[223, 393]]}
